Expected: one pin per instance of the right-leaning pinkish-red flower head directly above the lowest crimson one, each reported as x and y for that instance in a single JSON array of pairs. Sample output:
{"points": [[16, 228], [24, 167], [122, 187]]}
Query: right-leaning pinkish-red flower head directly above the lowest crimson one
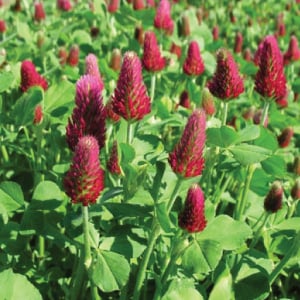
{"points": [[187, 159]]}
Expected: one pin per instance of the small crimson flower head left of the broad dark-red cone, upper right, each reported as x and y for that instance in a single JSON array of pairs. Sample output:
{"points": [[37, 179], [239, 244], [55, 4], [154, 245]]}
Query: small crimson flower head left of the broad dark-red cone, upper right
{"points": [[193, 64]]}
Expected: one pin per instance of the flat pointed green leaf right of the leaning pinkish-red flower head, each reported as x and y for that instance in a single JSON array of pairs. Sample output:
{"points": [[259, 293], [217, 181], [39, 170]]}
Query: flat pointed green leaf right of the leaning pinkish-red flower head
{"points": [[247, 154]]}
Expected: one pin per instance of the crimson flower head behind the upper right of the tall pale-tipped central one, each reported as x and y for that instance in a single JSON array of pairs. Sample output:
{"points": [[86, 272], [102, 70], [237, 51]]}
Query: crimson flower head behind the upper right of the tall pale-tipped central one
{"points": [[152, 59]]}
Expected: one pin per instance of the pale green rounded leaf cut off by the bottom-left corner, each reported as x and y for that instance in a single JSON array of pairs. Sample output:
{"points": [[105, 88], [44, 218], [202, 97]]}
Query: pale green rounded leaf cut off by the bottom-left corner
{"points": [[17, 286]]}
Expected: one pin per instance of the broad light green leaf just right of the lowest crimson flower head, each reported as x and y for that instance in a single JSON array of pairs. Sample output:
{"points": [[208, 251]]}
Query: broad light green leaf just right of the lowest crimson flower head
{"points": [[229, 233]]}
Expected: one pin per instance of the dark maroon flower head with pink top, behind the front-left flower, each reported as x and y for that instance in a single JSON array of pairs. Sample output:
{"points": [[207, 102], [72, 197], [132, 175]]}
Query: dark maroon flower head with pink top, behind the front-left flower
{"points": [[88, 117]]}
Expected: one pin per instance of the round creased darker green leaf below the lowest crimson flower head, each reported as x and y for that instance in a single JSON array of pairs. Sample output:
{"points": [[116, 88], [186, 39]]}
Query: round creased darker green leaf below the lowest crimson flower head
{"points": [[202, 256]]}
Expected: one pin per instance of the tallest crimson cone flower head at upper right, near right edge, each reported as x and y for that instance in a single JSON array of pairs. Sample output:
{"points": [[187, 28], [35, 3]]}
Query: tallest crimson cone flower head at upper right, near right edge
{"points": [[270, 80]]}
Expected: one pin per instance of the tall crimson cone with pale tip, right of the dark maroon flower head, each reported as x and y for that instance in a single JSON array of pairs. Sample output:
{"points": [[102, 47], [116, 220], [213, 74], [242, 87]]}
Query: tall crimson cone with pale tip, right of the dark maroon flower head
{"points": [[130, 99]]}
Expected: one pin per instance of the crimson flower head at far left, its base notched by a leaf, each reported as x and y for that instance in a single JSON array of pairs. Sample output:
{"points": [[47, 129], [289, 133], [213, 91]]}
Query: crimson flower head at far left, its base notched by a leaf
{"points": [[30, 77]]}
